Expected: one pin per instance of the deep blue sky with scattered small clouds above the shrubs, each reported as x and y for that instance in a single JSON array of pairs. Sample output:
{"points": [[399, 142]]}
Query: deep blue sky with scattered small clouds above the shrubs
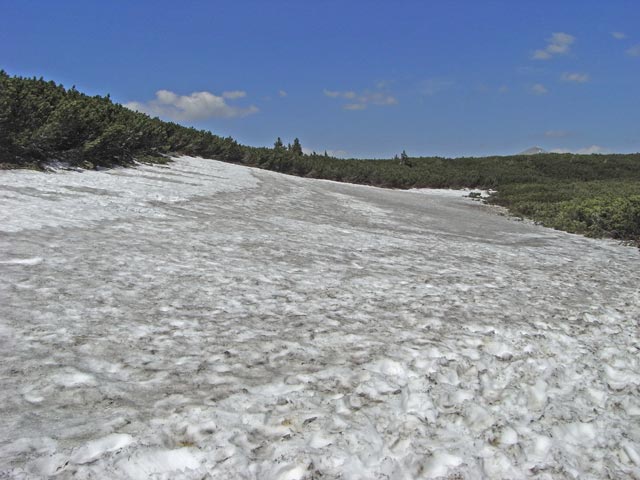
{"points": [[359, 78]]}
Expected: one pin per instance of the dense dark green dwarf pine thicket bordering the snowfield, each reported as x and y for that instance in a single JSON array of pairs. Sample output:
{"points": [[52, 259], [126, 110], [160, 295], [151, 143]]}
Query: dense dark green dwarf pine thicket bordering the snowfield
{"points": [[41, 121]]}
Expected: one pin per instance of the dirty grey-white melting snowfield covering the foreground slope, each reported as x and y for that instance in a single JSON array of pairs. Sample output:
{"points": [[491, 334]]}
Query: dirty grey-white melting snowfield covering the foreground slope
{"points": [[205, 320]]}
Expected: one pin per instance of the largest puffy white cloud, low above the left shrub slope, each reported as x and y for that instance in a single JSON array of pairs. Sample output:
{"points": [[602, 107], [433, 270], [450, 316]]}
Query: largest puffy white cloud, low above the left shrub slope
{"points": [[196, 106]]}
